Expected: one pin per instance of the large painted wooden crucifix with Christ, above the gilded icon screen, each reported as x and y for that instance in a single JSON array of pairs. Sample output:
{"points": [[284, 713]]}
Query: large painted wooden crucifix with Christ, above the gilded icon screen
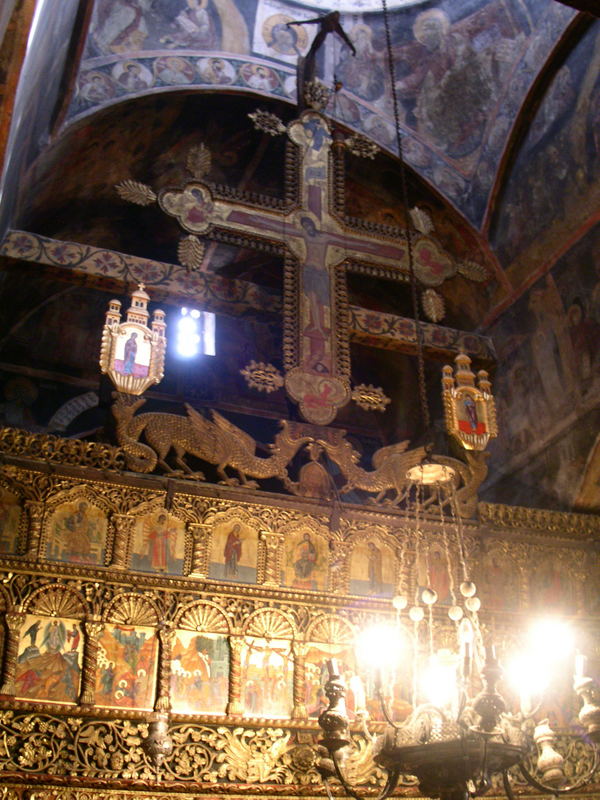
{"points": [[319, 246]]}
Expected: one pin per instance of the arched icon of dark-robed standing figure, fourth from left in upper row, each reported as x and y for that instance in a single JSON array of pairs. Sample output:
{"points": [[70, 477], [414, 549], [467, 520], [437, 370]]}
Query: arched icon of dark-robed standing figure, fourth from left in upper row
{"points": [[234, 552]]}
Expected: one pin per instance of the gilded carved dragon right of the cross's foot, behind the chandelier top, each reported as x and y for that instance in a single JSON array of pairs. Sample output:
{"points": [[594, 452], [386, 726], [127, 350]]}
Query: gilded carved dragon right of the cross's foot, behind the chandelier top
{"points": [[391, 465]]}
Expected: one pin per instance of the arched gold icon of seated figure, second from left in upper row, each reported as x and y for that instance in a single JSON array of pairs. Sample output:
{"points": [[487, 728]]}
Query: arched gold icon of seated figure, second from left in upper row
{"points": [[77, 533]]}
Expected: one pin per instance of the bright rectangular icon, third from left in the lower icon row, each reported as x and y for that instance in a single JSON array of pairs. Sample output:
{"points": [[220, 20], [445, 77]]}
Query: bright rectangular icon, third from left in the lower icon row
{"points": [[199, 673]]}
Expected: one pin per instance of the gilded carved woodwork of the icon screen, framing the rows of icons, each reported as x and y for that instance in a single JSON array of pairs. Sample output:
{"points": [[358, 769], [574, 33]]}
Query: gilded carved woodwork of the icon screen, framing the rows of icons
{"points": [[82, 740]]}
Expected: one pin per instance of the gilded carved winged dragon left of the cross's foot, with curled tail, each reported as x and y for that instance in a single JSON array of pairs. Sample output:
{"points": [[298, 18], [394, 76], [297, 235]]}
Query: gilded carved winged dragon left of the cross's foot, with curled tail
{"points": [[218, 442]]}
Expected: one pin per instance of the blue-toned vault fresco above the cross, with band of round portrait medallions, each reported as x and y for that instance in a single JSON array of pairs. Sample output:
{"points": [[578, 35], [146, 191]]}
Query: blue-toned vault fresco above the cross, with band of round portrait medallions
{"points": [[461, 73]]}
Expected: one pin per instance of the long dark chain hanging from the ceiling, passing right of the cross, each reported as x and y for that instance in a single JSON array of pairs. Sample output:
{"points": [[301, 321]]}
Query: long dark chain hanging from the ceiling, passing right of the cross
{"points": [[407, 227]]}
